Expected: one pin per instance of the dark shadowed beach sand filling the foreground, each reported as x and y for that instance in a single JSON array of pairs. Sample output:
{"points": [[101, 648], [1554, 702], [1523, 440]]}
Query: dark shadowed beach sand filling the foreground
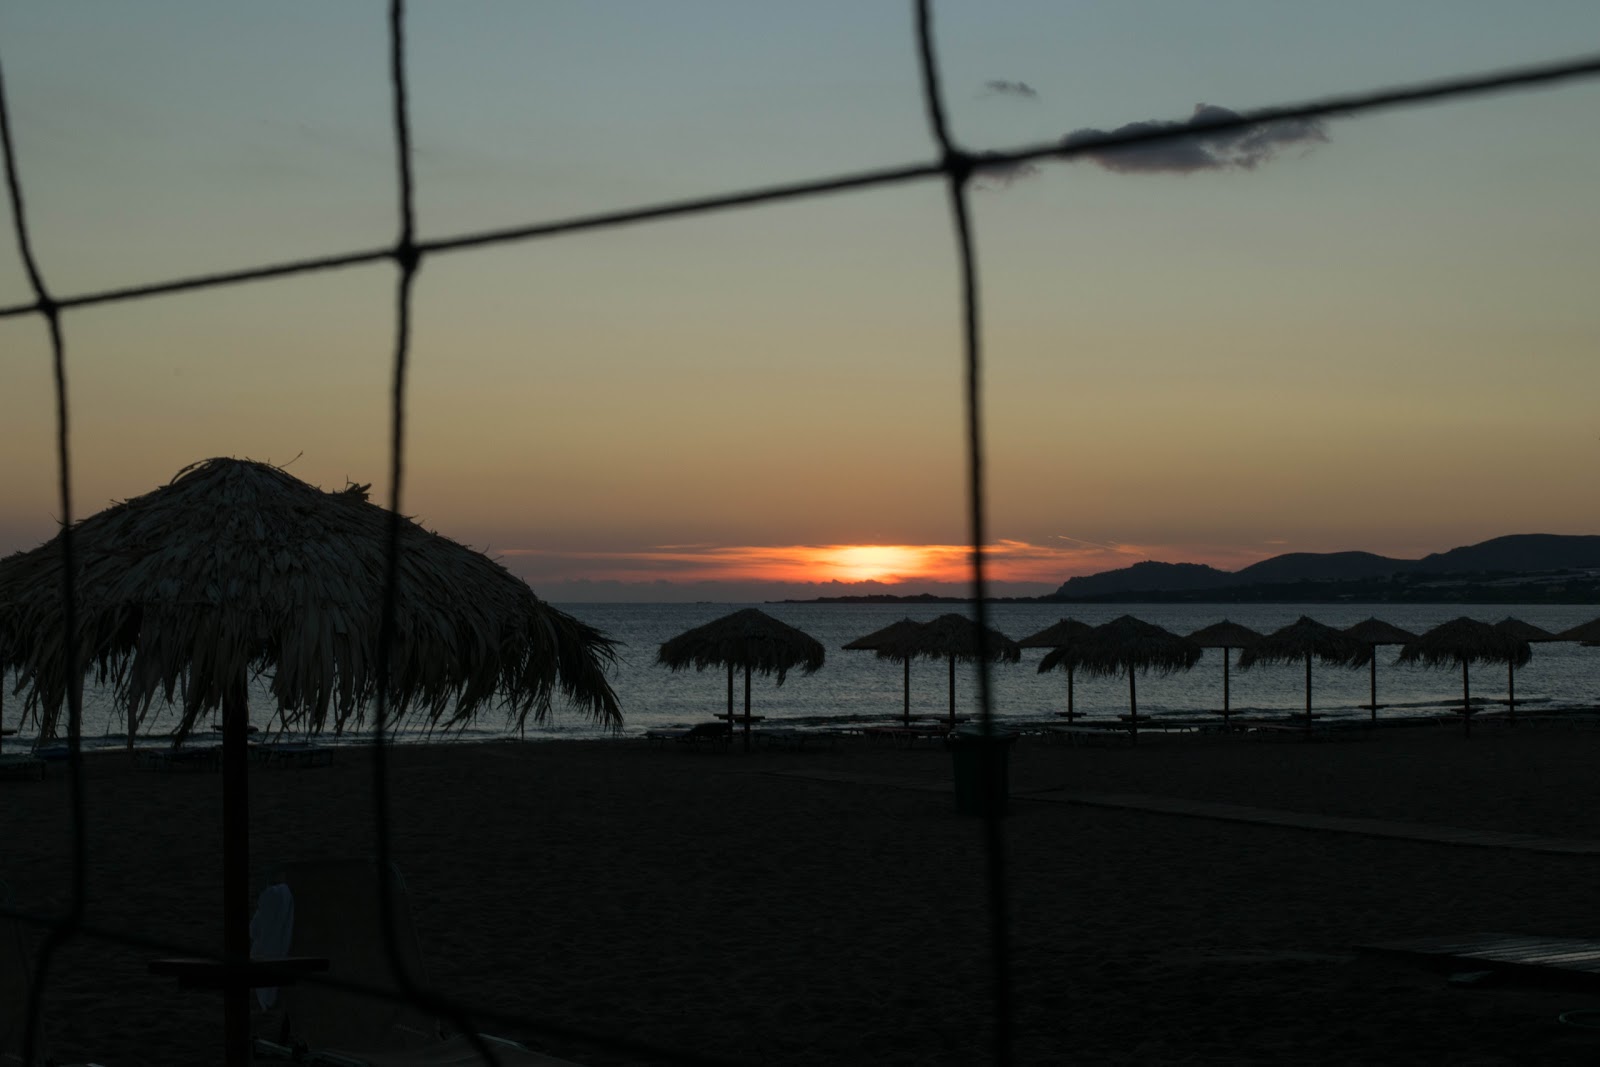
{"points": [[719, 905]]}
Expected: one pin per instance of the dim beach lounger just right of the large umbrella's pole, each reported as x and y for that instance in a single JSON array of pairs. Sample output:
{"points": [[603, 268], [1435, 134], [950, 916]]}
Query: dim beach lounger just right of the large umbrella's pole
{"points": [[337, 917]]}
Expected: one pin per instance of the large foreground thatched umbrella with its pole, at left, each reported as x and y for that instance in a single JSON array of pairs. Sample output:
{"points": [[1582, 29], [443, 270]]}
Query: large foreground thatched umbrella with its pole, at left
{"points": [[236, 567]]}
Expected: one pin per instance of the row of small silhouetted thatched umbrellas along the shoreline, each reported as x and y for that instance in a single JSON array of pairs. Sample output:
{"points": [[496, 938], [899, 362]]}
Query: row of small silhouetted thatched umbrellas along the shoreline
{"points": [[754, 641]]}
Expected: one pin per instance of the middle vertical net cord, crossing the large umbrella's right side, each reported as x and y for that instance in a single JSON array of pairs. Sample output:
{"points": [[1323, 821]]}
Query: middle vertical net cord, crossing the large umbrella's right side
{"points": [[409, 260]]}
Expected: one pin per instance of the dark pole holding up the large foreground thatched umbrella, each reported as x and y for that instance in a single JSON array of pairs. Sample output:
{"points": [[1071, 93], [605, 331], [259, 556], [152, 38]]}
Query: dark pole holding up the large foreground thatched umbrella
{"points": [[236, 873]]}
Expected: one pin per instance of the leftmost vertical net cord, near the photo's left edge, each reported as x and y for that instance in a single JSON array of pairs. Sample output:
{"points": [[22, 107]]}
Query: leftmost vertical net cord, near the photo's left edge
{"points": [[71, 922]]}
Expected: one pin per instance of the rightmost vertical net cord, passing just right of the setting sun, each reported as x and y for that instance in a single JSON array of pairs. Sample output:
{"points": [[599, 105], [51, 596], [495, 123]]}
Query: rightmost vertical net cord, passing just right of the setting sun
{"points": [[959, 172]]}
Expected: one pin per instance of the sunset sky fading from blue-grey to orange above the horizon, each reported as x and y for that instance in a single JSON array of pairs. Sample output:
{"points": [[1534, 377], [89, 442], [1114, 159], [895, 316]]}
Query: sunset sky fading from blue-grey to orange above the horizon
{"points": [[1382, 342]]}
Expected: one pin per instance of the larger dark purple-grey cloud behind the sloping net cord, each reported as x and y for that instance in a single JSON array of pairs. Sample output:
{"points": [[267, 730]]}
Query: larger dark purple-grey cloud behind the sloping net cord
{"points": [[1241, 148]]}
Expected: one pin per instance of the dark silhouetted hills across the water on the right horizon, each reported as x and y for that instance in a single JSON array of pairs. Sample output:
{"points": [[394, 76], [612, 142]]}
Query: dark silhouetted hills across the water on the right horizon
{"points": [[1516, 554]]}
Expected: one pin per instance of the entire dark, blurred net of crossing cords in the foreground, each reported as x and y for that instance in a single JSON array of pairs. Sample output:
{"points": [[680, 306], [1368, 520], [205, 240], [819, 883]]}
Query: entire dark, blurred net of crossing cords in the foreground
{"points": [[954, 167]]}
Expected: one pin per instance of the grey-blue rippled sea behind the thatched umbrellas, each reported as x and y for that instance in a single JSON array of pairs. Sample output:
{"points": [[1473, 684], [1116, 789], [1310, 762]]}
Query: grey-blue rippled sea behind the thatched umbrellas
{"points": [[857, 687]]}
